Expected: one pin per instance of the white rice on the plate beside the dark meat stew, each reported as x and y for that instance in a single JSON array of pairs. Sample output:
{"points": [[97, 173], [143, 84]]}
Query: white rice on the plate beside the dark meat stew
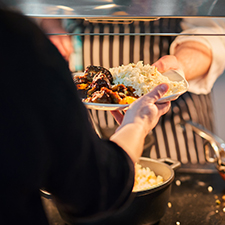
{"points": [[143, 78]]}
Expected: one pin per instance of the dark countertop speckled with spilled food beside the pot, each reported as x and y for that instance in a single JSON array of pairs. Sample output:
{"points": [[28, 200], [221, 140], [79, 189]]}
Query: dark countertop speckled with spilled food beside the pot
{"points": [[196, 198]]}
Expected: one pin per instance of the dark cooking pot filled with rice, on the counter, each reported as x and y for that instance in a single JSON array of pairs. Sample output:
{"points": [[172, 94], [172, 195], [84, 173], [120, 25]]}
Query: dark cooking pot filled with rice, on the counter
{"points": [[150, 196]]}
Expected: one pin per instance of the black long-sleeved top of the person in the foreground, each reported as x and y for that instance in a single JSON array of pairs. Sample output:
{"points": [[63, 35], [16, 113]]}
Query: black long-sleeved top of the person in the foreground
{"points": [[46, 138]]}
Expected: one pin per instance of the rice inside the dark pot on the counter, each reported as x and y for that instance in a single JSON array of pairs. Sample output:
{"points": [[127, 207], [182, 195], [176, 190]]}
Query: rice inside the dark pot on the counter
{"points": [[145, 178]]}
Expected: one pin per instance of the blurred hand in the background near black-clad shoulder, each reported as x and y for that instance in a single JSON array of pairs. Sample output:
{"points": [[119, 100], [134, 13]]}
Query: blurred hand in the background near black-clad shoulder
{"points": [[62, 42]]}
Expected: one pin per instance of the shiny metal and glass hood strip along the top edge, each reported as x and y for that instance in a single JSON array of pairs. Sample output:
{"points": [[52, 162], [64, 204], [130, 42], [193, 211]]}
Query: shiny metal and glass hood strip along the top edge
{"points": [[118, 9]]}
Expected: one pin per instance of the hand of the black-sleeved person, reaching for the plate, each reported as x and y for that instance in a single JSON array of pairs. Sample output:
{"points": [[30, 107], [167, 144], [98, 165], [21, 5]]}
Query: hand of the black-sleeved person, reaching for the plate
{"points": [[141, 117]]}
